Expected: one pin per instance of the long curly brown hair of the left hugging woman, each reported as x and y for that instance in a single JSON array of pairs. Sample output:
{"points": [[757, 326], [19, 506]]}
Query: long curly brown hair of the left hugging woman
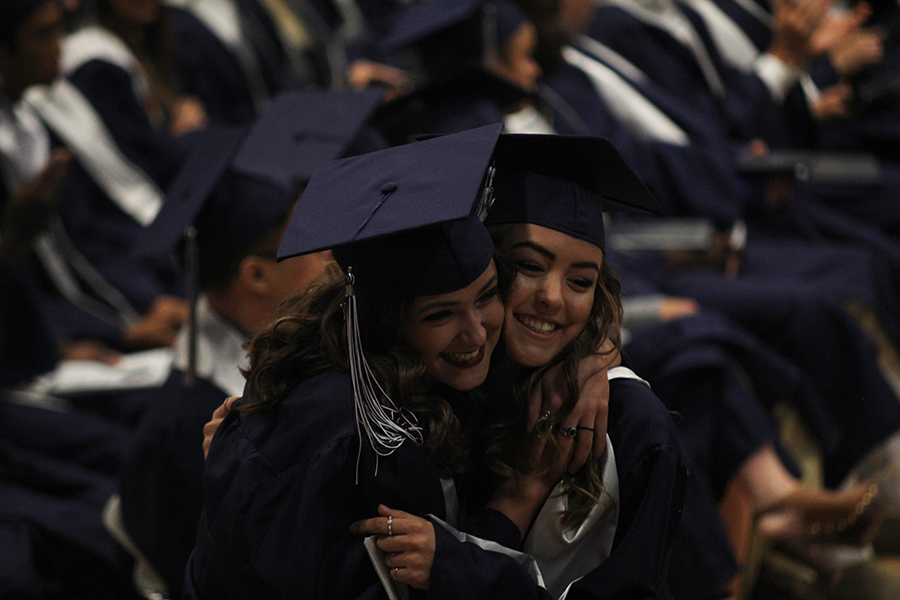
{"points": [[308, 337]]}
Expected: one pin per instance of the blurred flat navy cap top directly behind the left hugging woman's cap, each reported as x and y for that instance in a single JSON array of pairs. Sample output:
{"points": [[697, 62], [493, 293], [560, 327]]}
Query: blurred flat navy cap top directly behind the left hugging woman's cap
{"points": [[300, 131]]}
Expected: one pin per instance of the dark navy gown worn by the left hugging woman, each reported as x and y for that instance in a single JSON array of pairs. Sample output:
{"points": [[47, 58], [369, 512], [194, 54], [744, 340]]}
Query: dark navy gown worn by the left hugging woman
{"points": [[281, 489]]}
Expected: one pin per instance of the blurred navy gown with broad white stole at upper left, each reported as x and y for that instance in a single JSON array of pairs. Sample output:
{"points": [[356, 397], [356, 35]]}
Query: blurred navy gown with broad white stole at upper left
{"points": [[103, 75]]}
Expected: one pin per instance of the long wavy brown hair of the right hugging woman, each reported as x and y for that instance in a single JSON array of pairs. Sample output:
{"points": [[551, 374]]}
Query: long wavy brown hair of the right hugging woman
{"points": [[507, 438]]}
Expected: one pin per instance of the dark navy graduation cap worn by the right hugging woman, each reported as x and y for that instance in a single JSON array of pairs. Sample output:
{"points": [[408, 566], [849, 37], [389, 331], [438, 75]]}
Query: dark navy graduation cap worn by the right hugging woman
{"points": [[564, 183]]}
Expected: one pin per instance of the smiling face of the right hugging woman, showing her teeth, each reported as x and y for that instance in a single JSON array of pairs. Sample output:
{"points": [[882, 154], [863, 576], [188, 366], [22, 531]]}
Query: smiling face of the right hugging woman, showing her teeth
{"points": [[552, 296]]}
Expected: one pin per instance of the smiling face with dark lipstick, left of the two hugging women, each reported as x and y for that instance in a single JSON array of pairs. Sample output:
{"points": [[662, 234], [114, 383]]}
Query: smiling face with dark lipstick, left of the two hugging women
{"points": [[456, 333]]}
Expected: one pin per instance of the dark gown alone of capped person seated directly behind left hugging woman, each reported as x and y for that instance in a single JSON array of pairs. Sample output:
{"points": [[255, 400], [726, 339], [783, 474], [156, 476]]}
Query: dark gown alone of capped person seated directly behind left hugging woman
{"points": [[160, 484]]}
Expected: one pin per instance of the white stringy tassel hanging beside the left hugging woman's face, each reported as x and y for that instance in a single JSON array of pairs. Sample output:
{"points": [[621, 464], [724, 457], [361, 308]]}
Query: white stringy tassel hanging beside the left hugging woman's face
{"points": [[386, 426]]}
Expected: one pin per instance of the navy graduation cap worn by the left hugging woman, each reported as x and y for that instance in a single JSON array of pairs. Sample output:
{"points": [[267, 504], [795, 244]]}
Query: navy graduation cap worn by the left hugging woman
{"points": [[387, 215]]}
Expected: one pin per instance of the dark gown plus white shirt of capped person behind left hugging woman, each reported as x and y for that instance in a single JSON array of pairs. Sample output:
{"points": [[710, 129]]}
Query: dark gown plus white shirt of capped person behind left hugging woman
{"points": [[160, 485]]}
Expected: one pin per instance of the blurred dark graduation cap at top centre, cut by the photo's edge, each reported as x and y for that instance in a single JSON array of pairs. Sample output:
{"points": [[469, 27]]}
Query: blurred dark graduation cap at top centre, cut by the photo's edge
{"points": [[449, 34]]}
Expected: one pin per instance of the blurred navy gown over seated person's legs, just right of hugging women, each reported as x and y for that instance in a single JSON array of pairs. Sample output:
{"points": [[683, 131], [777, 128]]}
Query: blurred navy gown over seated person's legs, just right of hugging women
{"points": [[698, 366]]}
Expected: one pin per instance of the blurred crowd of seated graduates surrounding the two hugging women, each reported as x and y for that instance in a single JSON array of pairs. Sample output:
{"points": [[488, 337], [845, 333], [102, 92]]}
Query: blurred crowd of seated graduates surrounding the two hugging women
{"points": [[768, 131]]}
